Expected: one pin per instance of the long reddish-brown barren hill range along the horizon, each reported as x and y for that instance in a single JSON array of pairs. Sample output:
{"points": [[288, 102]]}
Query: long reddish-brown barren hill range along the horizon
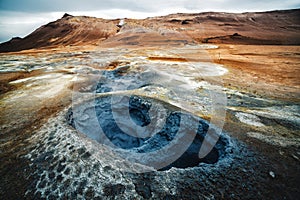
{"points": [[273, 27]]}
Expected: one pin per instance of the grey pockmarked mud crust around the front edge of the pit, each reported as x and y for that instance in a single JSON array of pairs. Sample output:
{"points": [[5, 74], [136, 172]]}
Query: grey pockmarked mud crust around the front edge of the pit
{"points": [[67, 164]]}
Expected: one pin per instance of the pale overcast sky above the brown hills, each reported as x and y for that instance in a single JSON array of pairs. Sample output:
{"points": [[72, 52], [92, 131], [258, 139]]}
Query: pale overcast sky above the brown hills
{"points": [[21, 17]]}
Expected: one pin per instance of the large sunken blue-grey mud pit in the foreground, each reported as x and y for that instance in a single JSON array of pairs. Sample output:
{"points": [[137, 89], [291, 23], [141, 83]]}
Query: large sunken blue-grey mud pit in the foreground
{"points": [[171, 139]]}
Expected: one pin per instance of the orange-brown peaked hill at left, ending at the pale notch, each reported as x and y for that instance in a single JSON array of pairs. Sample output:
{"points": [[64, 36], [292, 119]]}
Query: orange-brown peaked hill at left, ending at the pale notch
{"points": [[68, 30]]}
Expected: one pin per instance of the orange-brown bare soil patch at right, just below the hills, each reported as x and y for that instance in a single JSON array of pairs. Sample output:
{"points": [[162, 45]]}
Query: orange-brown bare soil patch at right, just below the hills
{"points": [[272, 71]]}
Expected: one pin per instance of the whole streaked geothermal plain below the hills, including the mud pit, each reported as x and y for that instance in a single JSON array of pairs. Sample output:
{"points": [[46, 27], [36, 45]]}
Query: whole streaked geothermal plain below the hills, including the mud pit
{"points": [[48, 152]]}
